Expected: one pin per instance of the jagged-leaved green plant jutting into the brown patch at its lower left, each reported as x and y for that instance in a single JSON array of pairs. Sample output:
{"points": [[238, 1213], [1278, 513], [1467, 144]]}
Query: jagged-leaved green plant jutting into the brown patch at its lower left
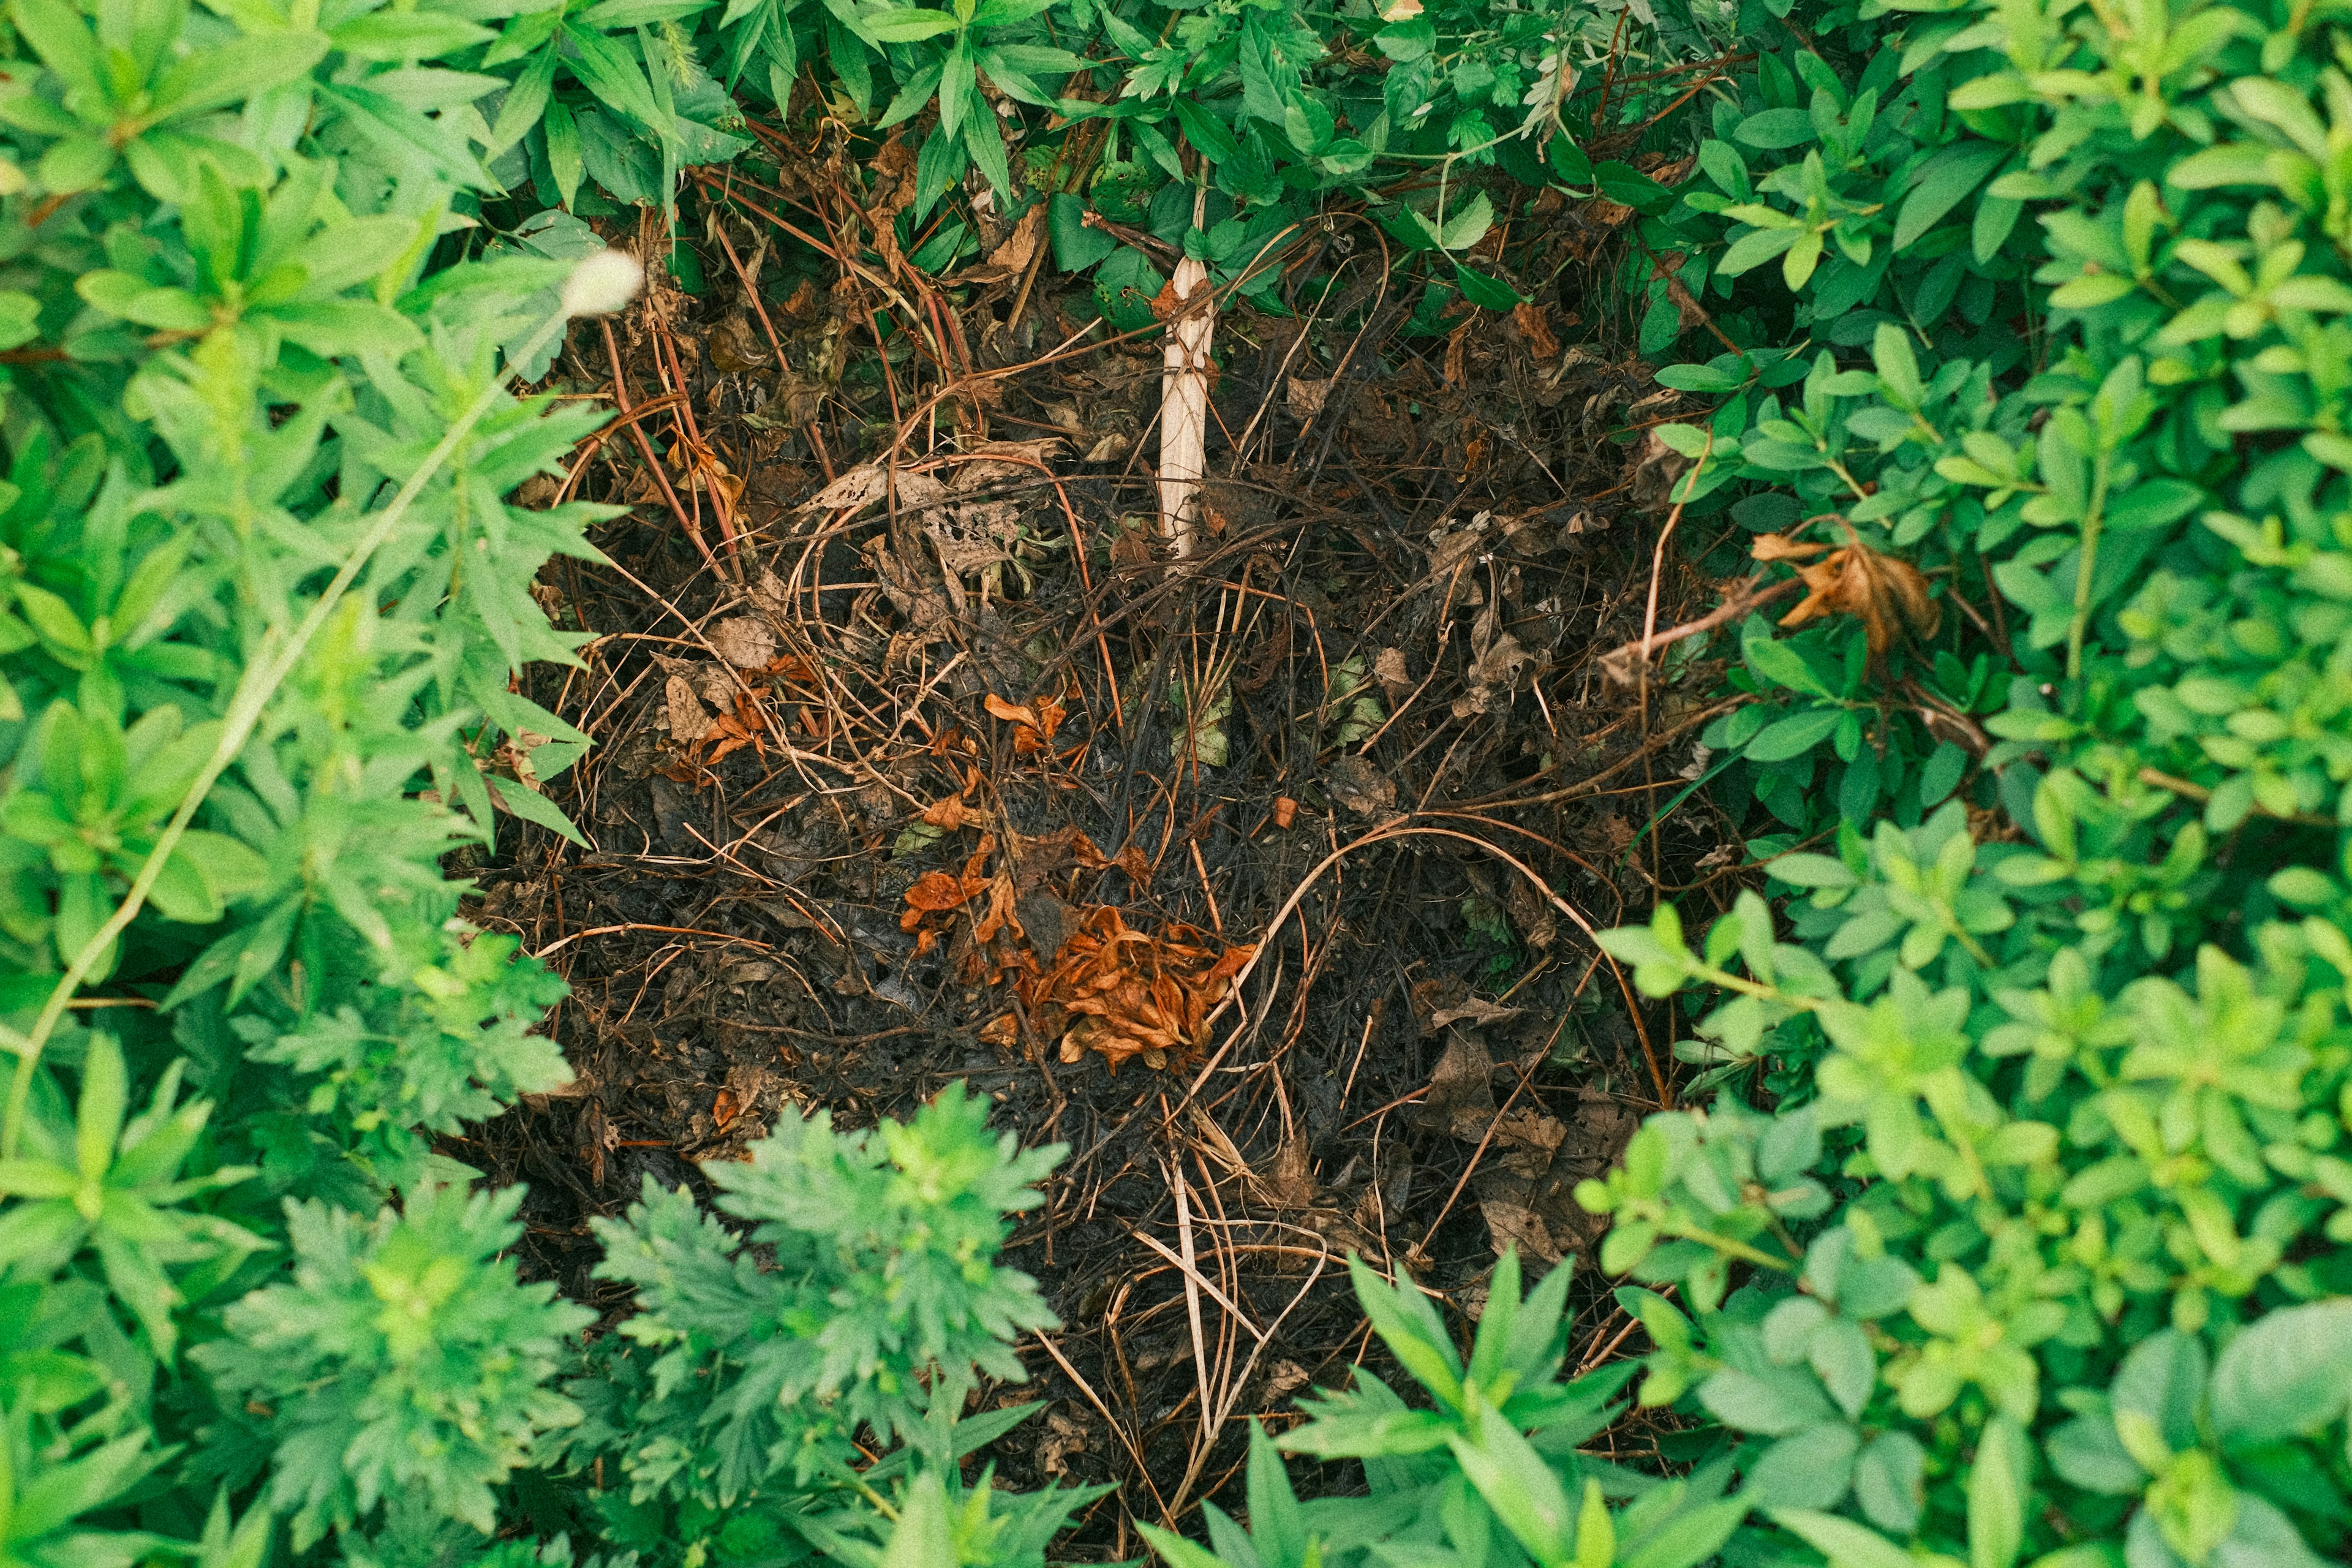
{"points": [[733, 1402]]}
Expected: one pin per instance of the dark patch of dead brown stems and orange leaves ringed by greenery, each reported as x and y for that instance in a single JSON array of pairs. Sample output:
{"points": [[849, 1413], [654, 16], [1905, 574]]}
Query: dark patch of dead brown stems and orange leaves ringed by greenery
{"points": [[933, 768]]}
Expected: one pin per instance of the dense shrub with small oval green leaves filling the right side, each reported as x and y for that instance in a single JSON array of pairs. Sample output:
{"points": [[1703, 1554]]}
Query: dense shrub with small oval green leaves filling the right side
{"points": [[2036, 1254]]}
